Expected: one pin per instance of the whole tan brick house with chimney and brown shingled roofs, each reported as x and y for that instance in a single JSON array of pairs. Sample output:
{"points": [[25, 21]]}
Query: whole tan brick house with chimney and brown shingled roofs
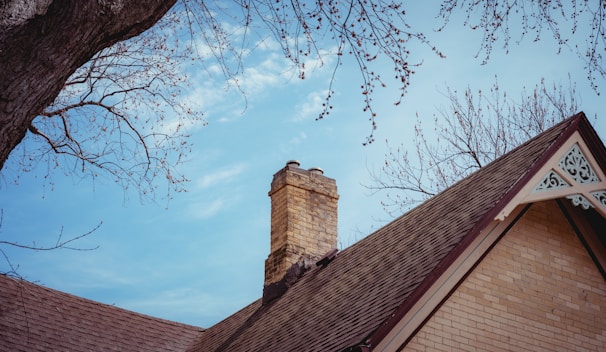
{"points": [[512, 258]]}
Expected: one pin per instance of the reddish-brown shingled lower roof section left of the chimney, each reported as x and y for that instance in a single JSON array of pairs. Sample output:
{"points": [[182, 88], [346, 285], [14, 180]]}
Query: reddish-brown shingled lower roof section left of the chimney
{"points": [[35, 318]]}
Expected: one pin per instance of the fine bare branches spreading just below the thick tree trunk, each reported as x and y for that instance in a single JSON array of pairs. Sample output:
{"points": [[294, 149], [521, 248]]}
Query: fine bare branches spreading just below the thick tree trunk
{"points": [[120, 115]]}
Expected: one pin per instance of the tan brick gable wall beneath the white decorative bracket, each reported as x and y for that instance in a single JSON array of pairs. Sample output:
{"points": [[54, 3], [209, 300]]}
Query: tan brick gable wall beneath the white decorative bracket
{"points": [[537, 290]]}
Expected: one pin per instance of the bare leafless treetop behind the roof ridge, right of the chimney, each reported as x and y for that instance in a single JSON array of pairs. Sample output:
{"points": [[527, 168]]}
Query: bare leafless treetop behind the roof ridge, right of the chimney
{"points": [[475, 129]]}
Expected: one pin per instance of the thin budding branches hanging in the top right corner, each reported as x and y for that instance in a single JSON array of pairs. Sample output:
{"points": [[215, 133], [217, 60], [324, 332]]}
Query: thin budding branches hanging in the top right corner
{"points": [[576, 25]]}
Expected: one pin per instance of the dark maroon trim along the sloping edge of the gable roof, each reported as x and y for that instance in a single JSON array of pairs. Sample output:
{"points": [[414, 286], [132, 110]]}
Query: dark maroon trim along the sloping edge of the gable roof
{"points": [[382, 331]]}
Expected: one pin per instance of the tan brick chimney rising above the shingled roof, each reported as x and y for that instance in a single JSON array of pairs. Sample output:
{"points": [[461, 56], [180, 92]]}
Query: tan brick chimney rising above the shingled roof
{"points": [[303, 220]]}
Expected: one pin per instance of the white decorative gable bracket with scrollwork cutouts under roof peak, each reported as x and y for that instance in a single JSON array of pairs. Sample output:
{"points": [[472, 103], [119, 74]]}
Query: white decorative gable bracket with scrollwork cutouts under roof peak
{"points": [[571, 173]]}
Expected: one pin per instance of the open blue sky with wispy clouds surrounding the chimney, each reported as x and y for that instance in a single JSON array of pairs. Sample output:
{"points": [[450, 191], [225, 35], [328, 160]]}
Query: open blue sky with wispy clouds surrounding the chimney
{"points": [[200, 257]]}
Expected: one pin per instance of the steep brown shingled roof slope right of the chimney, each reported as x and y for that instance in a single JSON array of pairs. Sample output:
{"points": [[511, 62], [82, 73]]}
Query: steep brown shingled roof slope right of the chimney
{"points": [[356, 298]]}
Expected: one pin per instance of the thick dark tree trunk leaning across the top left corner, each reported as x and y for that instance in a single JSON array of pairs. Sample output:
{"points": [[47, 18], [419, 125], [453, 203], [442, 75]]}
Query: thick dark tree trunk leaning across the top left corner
{"points": [[41, 48]]}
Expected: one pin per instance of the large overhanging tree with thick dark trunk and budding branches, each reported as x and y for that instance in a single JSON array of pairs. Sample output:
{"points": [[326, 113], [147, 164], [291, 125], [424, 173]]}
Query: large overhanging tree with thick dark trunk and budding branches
{"points": [[101, 105]]}
